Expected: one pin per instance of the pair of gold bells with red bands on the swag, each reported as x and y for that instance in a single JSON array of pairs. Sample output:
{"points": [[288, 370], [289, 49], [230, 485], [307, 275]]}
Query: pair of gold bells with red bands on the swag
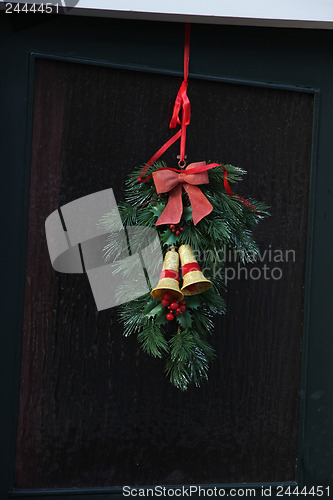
{"points": [[194, 281]]}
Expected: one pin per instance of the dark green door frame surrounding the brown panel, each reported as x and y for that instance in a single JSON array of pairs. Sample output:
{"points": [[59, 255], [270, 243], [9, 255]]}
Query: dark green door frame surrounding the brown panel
{"points": [[292, 59]]}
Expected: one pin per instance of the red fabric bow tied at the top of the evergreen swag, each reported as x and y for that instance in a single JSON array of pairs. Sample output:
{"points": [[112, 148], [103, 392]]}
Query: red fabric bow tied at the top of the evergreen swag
{"points": [[169, 181]]}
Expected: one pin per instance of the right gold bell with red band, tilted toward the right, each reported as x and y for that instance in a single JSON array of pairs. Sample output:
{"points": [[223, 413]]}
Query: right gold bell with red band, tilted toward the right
{"points": [[193, 279]]}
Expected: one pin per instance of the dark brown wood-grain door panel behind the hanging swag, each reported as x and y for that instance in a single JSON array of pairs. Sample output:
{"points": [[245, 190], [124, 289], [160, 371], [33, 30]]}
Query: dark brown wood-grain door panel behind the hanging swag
{"points": [[94, 410]]}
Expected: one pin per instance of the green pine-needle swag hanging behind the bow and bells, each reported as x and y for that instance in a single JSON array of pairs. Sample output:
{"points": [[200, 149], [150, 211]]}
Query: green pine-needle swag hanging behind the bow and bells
{"points": [[183, 342]]}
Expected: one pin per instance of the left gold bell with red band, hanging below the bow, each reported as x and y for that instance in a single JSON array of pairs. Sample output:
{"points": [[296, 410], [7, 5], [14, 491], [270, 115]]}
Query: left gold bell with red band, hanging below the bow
{"points": [[169, 279]]}
